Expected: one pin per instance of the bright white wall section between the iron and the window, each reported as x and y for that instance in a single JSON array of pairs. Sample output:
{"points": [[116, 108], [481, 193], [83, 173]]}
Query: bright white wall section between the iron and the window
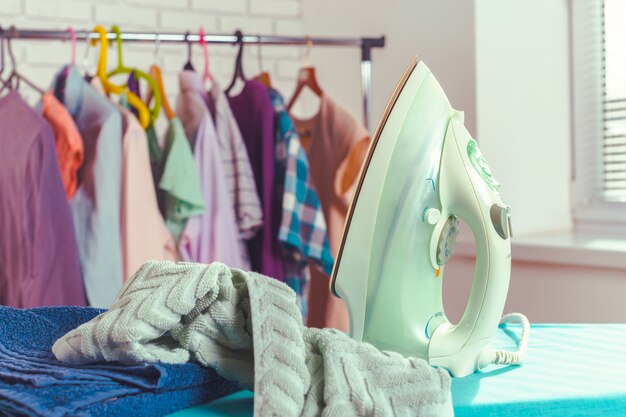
{"points": [[523, 107]]}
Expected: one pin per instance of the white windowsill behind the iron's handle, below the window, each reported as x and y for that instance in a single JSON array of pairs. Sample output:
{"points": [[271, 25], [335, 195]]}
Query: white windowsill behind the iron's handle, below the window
{"points": [[566, 248]]}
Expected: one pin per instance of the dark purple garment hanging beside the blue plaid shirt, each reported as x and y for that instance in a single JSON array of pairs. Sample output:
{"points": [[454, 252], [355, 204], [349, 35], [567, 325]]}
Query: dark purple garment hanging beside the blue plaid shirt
{"points": [[255, 116]]}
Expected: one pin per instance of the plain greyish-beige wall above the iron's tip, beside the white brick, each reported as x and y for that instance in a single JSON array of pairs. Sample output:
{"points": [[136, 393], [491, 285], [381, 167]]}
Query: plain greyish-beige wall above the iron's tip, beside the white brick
{"points": [[440, 32]]}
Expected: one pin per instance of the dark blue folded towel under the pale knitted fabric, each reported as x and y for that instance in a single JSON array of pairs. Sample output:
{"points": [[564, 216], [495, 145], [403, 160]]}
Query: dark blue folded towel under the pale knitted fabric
{"points": [[34, 383]]}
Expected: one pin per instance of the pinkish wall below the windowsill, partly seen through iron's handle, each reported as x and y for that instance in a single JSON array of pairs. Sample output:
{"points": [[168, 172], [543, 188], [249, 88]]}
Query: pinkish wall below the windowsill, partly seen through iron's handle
{"points": [[547, 292]]}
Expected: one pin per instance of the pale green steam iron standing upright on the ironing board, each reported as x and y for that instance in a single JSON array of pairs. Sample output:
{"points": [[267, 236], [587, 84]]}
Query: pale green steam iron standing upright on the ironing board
{"points": [[423, 172]]}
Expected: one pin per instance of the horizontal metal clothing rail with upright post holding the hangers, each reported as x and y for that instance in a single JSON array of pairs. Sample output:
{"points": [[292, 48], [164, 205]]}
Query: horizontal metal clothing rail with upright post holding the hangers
{"points": [[366, 45]]}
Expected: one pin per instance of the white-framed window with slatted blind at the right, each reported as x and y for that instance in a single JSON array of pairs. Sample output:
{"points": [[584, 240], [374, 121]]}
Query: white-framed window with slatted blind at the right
{"points": [[598, 40]]}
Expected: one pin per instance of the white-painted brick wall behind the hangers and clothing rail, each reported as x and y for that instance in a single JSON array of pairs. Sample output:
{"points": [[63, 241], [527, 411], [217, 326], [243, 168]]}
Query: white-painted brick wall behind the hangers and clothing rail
{"points": [[40, 59]]}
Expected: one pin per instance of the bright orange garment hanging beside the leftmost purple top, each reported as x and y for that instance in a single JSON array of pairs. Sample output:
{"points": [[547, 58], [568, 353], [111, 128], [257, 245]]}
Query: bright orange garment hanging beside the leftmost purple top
{"points": [[69, 144]]}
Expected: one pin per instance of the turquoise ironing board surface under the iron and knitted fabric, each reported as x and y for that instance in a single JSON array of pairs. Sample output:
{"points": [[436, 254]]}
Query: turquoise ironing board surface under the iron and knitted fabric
{"points": [[570, 370]]}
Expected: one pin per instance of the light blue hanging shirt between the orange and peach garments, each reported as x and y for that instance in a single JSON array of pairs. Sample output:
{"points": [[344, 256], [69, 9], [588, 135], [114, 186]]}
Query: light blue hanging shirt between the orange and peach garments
{"points": [[96, 204]]}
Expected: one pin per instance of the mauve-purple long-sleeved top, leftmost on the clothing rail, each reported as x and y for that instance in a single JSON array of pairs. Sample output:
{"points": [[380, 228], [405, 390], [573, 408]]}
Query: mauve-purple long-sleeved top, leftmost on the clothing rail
{"points": [[39, 263]]}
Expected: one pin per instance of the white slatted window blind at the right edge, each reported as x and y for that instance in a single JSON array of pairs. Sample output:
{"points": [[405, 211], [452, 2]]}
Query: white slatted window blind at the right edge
{"points": [[614, 101]]}
